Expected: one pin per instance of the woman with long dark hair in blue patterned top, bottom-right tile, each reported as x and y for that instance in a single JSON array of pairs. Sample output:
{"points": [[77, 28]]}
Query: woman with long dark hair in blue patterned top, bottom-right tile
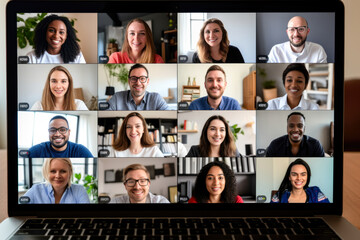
{"points": [[294, 188]]}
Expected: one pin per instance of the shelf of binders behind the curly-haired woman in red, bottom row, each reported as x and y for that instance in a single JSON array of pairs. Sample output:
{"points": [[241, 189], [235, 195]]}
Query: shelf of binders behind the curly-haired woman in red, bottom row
{"points": [[188, 168]]}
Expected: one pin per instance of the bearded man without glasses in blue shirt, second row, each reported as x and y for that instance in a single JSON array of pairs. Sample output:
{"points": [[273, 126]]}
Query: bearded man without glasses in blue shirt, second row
{"points": [[215, 84]]}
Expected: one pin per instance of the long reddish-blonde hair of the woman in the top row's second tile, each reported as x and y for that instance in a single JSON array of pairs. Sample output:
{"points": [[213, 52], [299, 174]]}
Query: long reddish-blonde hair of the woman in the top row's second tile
{"points": [[148, 53]]}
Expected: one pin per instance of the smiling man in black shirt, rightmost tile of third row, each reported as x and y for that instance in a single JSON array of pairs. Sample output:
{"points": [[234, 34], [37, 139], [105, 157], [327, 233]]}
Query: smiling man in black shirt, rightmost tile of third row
{"points": [[295, 143]]}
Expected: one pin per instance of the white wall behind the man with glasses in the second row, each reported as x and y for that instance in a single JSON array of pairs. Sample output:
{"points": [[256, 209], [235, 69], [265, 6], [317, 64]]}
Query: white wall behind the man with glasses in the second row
{"points": [[162, 77]]}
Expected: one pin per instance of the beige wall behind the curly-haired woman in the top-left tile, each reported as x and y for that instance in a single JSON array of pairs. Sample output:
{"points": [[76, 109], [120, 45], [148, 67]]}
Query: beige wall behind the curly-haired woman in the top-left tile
{"points": [[86, 25]]}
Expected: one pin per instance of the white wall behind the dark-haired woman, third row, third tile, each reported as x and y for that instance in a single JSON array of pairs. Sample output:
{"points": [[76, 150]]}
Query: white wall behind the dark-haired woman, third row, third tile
{"points": [[234, 117]]}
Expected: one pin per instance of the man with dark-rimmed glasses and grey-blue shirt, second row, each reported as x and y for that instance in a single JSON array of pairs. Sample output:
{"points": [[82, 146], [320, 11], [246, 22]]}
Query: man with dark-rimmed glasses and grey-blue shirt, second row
{"points": [[137, 98]]}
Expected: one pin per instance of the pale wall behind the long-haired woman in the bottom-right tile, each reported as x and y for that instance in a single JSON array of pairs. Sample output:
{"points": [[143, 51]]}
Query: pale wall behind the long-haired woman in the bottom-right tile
{"points": [[271, 171]]}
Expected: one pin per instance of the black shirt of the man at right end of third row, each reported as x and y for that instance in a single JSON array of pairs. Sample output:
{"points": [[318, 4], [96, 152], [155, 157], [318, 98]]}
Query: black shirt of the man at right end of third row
{"points": [[281, 147]]}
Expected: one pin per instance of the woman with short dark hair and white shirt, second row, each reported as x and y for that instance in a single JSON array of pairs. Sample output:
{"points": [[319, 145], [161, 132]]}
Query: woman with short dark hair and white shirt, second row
{"points": [[295, 80]]}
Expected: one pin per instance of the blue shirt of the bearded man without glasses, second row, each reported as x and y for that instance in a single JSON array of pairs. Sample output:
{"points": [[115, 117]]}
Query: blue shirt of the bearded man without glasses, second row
{"points": [[227, 103]]}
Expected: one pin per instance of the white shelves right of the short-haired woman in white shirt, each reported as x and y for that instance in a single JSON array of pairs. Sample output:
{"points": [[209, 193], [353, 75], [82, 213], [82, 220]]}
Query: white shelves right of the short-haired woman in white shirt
{"points": [[320, 86]]}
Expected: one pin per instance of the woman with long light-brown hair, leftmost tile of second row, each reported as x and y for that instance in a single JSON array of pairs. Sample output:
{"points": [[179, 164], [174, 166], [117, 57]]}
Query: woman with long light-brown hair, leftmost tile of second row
{"points": [[58, 93]]}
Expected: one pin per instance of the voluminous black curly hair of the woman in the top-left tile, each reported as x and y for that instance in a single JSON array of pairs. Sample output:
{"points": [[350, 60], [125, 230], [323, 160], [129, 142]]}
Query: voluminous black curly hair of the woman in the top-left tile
{"points": [[69, 50]]}
